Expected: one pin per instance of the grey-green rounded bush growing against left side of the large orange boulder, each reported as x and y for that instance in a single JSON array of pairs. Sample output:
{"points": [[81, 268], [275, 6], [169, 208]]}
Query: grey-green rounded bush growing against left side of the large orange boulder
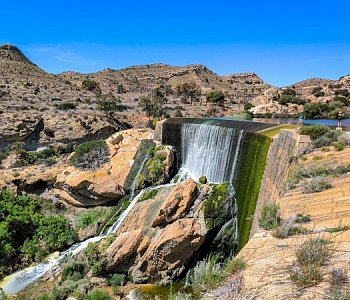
{"points": [[90, 155]]}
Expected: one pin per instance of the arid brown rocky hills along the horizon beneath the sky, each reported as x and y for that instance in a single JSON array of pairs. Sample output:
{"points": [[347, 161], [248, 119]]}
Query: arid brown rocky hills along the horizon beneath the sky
{"points": [[24, 84]]}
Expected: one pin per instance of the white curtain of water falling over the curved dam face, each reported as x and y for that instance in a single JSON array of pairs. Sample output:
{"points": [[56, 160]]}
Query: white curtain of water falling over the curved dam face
{"points": [[210, 150]]}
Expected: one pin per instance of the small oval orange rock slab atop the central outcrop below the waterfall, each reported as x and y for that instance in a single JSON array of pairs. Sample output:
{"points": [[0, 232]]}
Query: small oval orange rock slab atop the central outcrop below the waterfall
{"points": [[177, 203]]}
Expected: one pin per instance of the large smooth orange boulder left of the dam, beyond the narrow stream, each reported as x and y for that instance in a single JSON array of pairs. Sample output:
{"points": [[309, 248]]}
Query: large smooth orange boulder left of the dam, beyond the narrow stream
{"points": [[96, 187]]}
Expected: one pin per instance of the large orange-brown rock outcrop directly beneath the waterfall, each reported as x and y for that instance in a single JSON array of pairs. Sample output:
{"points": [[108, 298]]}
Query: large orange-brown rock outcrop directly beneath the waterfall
{"points": [[160, 235]]}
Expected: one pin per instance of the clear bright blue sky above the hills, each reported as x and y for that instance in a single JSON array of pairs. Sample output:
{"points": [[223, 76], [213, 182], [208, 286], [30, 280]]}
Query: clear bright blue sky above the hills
{"points": [[282, 41]]}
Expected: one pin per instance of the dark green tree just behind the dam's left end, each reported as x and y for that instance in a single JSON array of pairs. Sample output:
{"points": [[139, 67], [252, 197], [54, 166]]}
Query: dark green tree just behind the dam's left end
{"points": [[154, 104]]}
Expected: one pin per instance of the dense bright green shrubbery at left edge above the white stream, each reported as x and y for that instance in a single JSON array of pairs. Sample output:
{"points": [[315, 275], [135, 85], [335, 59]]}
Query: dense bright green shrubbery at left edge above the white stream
{"points": [[26, 234]]}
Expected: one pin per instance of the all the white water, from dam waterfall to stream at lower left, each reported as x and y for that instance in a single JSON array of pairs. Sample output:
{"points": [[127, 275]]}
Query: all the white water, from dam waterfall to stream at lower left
{"points": [[207, 150]]}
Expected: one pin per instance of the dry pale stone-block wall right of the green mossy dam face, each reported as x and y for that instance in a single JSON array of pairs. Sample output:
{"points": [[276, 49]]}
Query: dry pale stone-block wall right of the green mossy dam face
{"points": [[285, 146]]}
